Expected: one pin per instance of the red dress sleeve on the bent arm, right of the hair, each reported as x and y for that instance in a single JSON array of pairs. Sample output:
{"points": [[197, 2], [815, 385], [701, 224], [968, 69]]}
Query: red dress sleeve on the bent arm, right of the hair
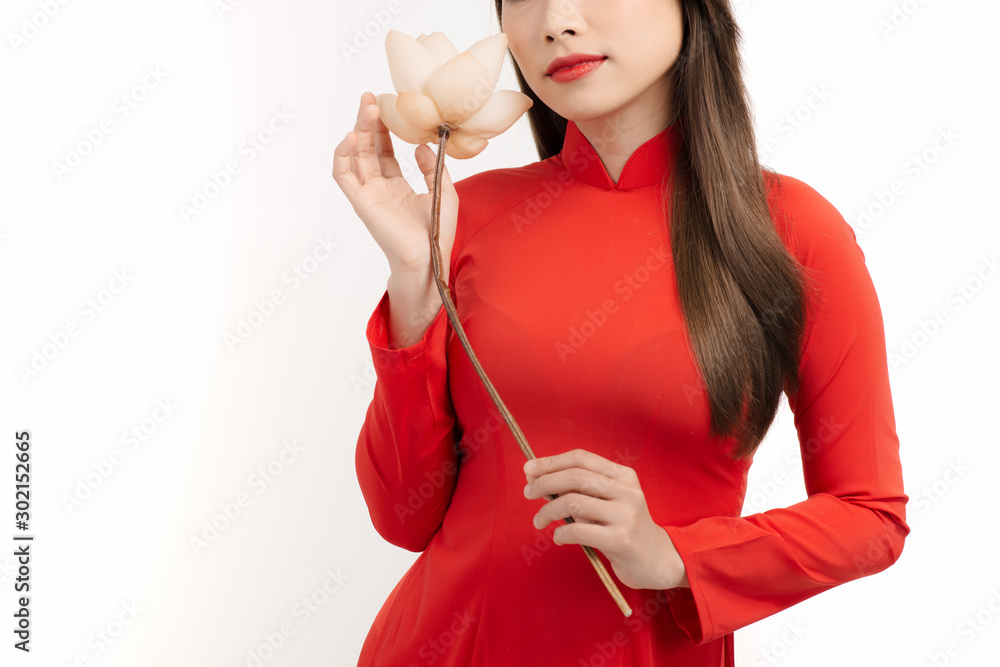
{"points": [[853, 524]]}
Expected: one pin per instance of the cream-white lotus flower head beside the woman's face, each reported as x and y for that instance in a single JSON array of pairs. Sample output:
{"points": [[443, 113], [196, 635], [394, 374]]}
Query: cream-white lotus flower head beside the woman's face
{"points": [[435, 85]]}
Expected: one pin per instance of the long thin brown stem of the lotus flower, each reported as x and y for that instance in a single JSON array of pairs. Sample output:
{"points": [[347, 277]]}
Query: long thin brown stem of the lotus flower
{"points": [[444, 131]]}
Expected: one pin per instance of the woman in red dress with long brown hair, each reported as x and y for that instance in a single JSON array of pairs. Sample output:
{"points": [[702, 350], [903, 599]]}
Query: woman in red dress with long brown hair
{"points": [[641, 297]]}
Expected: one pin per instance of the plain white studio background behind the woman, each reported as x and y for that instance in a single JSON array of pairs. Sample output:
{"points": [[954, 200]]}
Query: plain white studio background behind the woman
{"points": [[107, 542]]}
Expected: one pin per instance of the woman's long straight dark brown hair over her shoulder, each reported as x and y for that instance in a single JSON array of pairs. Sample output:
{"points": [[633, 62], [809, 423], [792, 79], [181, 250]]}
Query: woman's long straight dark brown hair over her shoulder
{"points": [[742, 293]]}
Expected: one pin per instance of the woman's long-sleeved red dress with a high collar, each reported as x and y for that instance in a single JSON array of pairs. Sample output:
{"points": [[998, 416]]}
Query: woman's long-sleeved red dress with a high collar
{"points": [[564, 285]]}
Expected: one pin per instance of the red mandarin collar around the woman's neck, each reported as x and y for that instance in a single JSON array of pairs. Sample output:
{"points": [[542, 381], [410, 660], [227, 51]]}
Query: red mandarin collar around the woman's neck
{"points": [[646, 166]]}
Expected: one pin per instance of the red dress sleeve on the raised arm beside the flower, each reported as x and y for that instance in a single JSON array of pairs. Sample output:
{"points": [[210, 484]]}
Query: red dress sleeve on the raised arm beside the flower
{"points": [[405, 459]]}
